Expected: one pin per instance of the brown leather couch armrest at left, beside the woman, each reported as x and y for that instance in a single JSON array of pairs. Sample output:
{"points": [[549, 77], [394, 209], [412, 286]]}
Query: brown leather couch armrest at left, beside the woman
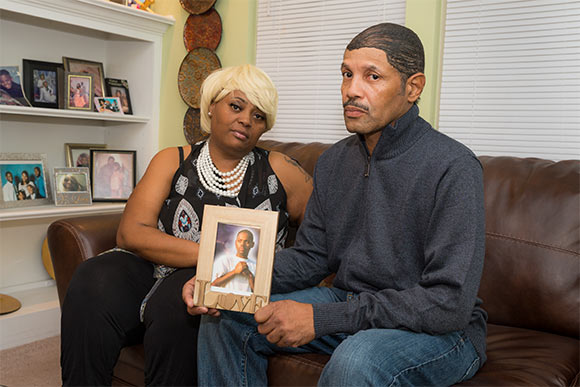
{"points": [[74, 240]]}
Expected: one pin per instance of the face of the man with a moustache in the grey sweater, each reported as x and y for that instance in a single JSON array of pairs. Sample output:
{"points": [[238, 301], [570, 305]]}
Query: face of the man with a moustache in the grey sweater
{"points": [[372, 93]]}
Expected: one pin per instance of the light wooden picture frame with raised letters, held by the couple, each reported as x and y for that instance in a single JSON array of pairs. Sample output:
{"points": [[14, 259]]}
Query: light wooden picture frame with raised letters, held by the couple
{"points": [[215, 285]]}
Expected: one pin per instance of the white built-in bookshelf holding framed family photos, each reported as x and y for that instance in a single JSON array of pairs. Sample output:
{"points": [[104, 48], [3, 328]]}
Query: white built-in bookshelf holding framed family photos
{"points": [[129, 43]]}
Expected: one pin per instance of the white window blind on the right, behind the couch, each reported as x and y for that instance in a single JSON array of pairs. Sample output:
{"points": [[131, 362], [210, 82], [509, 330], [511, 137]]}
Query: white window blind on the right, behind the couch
{"points": [[511, 77]]}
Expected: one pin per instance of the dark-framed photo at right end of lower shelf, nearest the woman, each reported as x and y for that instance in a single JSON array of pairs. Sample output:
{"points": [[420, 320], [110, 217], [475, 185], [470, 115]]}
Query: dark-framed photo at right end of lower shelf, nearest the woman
{"points": [[112, 174]]}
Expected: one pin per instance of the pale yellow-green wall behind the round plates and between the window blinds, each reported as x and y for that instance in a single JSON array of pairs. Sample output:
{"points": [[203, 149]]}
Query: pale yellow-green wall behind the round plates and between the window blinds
{"points": [[238, 46]]}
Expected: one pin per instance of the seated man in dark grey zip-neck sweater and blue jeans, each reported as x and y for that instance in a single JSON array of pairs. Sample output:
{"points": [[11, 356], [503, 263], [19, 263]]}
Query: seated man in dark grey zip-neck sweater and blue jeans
{"points": [[397, 213]]}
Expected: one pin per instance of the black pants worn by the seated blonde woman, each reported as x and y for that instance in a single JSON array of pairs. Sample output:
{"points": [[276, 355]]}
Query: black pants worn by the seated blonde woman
{"points": [[100, 315]]}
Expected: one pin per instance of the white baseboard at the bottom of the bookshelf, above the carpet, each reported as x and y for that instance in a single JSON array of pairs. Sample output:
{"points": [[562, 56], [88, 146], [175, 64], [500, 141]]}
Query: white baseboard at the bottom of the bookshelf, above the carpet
{"points": [[38, 318]]}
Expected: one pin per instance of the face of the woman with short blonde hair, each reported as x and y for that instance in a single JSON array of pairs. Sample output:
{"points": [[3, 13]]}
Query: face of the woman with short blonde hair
{"points": [[236, 124]]}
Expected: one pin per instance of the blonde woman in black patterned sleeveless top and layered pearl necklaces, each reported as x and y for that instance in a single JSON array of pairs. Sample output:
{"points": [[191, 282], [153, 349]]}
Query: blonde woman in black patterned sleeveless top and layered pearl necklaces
{"points": [[120, 298]]}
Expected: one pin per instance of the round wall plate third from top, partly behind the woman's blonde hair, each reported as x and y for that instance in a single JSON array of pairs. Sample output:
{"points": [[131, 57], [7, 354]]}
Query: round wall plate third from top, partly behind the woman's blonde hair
{"points": [[196, 66]]}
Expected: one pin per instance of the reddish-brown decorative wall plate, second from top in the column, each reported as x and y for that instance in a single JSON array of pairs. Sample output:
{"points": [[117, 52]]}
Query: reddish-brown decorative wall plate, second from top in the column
{"points": [[203, 30]]}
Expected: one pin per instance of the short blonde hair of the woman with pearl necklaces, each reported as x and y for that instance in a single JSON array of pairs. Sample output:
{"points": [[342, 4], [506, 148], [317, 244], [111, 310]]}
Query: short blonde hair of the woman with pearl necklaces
{"points": [[249, 79]]}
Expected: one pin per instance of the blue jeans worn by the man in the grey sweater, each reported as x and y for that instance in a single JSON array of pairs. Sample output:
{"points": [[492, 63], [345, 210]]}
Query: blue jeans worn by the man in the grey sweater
{"points": [[232, 353]]}
